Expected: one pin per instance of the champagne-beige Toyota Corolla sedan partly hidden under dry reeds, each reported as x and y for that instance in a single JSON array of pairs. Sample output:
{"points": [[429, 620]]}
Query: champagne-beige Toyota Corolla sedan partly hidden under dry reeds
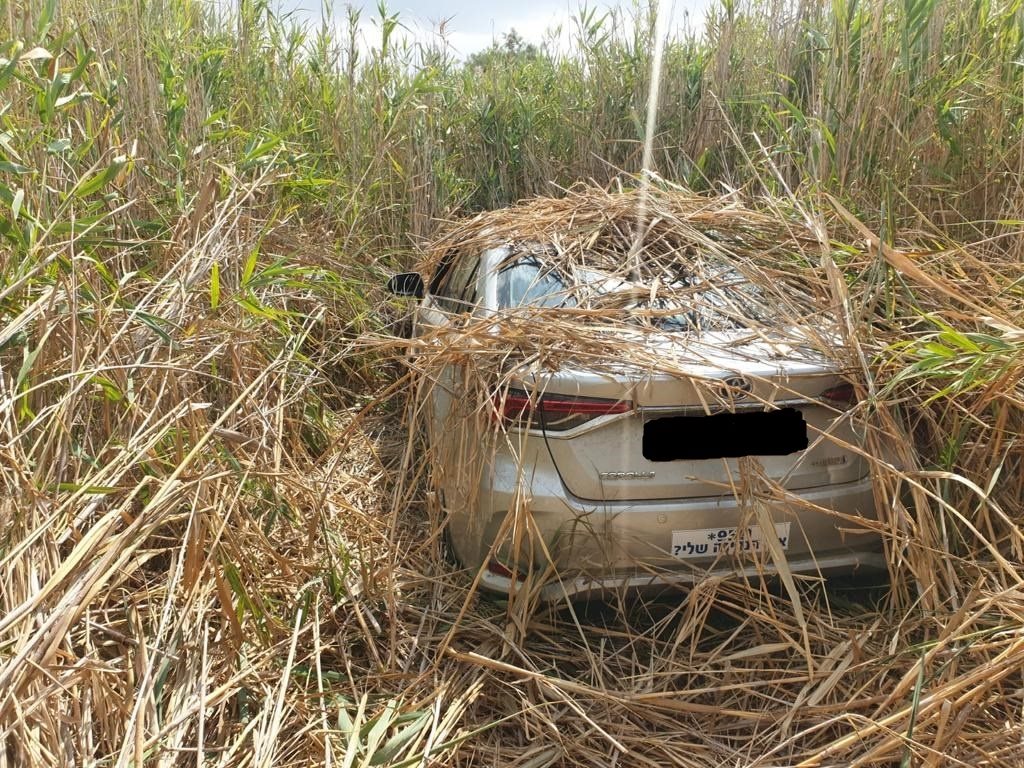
{"points": [[672, 444]]}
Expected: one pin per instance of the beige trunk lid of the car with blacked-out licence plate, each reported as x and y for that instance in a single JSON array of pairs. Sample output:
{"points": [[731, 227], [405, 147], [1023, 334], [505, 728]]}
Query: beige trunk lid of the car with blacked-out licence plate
{"points": [[687, 429]]}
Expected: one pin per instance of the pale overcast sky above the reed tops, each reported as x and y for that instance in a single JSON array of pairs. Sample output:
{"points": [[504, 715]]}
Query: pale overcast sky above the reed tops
{"points": [[473, 25]]}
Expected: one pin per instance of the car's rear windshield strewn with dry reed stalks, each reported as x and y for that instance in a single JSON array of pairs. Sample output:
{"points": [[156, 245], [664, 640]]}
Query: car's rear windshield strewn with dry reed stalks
{"points": [[721, 300]]}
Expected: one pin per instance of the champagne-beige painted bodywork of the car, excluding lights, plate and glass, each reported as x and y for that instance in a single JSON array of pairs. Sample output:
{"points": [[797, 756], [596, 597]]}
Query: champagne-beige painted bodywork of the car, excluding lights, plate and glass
{"points": [[587, 506]]}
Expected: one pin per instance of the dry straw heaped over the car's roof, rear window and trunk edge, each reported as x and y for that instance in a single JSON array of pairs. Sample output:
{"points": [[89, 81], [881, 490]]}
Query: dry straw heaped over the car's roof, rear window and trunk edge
{"points": [[713, 263]]}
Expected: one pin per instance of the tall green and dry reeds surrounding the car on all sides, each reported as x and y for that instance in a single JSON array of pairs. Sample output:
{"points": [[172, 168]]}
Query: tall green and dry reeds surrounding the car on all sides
{"points": [[216, 543]]}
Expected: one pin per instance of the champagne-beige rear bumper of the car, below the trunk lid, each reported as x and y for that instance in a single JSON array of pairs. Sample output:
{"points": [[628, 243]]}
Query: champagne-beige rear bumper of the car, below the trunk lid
{"points": [[606, 546]]}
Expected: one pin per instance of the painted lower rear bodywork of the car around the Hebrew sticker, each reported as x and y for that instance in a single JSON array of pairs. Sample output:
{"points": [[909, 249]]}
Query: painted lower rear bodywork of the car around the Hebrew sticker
{"points": [[619, 538]]}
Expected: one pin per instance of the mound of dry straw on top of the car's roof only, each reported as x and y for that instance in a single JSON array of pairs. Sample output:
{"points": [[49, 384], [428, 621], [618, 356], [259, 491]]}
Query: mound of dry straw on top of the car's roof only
{"points": [[594, 229]]}
